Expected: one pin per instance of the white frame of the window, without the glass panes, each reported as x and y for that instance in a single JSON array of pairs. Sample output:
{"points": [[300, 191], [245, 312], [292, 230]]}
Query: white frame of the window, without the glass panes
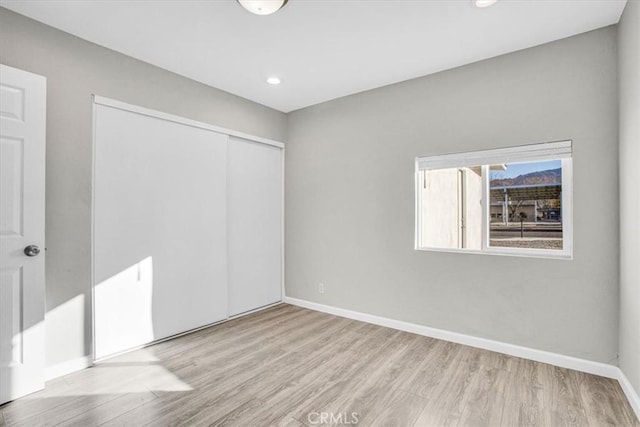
{"points": [[561, 150]]}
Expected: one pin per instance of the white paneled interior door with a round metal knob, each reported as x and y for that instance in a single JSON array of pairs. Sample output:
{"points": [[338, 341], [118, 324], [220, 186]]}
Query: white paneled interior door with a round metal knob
{"points": [[22, 160]]}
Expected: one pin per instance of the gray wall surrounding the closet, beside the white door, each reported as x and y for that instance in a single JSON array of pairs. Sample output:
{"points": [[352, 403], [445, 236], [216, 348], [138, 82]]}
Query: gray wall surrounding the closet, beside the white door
{"points": [[76, 69]]}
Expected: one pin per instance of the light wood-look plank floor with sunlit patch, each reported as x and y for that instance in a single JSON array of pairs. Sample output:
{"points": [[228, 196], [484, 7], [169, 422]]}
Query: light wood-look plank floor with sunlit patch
{"points": [[290, 366]]}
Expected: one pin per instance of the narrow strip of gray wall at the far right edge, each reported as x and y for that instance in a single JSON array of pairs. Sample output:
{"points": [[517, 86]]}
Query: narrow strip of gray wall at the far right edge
{"points": [[629, 65]]}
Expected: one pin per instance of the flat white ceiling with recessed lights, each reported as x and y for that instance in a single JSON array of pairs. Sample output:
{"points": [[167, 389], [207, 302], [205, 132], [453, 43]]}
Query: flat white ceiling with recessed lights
{"points": [[321, 49]]}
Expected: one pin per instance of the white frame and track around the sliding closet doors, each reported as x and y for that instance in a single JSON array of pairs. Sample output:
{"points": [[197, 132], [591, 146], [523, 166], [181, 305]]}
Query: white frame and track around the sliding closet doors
{"points": [[108, 102]]}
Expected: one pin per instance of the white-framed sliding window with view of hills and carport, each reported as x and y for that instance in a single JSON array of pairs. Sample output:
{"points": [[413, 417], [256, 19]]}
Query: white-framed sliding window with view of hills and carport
{"points": [[509, 201]]}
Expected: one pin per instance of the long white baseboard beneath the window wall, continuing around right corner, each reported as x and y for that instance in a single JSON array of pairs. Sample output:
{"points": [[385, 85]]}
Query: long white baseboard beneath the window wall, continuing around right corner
{"points": [[563, 361]]}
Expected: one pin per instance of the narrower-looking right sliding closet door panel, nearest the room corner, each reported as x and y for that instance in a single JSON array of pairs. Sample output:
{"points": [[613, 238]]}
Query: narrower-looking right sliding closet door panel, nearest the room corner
{"points": [[254, 225]]}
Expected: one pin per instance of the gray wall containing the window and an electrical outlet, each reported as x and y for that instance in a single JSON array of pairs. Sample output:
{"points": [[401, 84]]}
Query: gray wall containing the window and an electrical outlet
{"points": [[350, 199]]}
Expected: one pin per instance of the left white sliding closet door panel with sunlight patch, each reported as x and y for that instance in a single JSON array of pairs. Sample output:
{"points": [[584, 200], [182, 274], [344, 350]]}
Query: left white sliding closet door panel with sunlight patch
{"points": [[159, 229]]}
